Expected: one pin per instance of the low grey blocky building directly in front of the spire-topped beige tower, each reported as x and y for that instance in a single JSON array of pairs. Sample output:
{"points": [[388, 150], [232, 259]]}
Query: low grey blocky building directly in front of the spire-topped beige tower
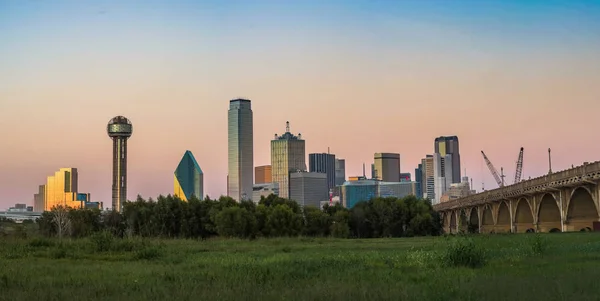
{"points": [[308, 188]]}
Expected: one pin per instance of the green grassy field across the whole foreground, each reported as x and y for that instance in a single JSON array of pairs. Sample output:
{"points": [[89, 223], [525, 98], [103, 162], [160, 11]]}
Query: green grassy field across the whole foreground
{"points": [[511, 267]]}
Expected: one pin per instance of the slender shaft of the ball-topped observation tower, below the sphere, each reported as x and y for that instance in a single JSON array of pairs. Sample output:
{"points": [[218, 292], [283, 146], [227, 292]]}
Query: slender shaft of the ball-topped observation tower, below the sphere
{"points": [[119, 189]]}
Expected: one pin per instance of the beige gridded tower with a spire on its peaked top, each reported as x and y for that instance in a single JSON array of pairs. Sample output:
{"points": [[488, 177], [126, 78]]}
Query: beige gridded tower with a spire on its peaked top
{"points": [[288, 154]]}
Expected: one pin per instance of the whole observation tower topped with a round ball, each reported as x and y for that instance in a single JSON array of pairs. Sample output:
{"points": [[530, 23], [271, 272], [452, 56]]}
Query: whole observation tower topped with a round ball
{"points": [[119, 130]]}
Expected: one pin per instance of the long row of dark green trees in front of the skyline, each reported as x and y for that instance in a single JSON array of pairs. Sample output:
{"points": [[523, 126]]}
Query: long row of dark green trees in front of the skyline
{"points": [[170, 217]]}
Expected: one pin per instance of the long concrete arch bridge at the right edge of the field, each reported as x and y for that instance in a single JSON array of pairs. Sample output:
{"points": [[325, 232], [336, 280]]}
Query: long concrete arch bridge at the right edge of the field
{"points": [[562, 201]]}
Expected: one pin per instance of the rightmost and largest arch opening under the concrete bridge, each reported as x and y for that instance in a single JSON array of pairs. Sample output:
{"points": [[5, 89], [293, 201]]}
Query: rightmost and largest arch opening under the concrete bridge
{"points": [[581, 210]]}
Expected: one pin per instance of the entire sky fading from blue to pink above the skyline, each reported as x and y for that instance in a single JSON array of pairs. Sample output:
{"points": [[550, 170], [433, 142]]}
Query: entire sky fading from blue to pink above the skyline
{"points": [[358, 77]]}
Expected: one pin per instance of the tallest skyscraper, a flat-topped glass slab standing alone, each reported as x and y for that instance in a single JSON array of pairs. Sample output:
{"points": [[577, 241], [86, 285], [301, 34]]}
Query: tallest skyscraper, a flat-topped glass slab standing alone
{"points": [[240, 150]]}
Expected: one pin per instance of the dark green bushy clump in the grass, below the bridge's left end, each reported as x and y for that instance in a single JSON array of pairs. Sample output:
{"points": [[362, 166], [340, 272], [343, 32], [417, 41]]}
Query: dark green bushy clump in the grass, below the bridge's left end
{"points": [[464, 252]]}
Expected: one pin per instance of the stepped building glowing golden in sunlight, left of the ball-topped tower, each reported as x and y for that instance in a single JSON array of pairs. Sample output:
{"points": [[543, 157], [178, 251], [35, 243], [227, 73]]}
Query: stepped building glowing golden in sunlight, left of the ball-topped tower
{"points": [[61, 189]]}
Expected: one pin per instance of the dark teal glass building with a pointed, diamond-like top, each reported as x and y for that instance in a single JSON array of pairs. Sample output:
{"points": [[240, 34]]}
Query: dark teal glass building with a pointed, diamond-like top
{"points": [[188, 178]]}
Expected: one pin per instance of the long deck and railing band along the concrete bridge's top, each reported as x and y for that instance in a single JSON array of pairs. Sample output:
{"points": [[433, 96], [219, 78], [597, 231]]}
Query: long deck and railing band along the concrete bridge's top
{"points": [[576, 175]]}
